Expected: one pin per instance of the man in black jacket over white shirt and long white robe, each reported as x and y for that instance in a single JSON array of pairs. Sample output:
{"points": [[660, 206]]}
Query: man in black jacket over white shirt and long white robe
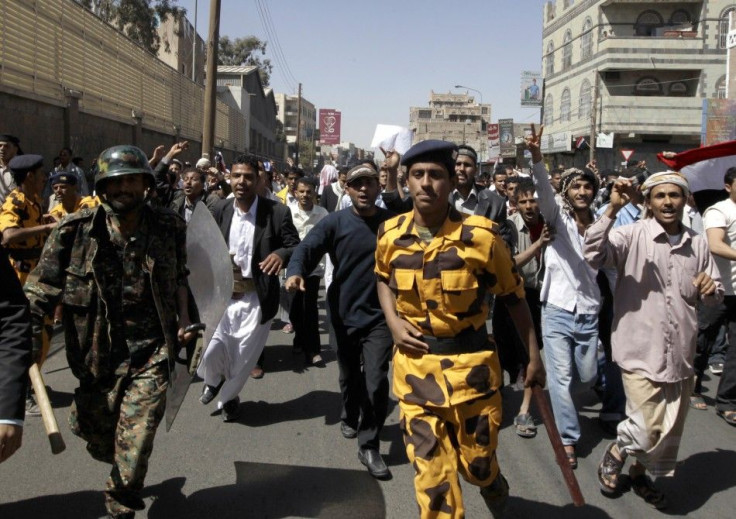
{"points": [[261, 237]]}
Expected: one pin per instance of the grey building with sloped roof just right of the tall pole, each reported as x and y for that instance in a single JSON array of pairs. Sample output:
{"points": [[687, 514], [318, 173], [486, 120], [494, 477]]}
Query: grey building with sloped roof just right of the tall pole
{"points": [[240, 87]]}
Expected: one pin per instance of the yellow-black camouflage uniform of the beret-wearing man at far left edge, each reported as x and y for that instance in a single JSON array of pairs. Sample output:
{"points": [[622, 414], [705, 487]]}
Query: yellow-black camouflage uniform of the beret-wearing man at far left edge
{"points": [[21, 211]]}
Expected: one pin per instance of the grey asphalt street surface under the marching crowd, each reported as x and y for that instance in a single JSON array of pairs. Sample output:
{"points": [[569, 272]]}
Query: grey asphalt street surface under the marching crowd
{"points": [[285, 457]]}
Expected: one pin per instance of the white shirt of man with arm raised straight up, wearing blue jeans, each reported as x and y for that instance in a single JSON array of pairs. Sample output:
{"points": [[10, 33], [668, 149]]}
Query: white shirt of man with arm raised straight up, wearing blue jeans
{"points": [[569, 282]]}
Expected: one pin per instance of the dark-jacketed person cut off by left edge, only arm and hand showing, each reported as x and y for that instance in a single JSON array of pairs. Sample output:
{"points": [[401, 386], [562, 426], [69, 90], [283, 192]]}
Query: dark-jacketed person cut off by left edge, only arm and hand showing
{"points": [[15, 357]]}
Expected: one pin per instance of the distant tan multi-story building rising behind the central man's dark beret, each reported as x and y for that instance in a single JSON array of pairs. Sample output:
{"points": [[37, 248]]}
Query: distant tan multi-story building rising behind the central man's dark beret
{"points": [[452, 117]]}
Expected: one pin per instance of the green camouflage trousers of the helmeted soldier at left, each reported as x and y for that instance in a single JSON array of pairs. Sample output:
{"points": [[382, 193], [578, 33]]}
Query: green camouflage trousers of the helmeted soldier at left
{"points": [[119, 423]]}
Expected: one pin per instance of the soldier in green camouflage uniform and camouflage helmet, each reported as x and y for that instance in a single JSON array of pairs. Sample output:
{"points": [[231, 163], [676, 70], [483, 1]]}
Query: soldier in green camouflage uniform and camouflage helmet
{"points": [[109, 266]]}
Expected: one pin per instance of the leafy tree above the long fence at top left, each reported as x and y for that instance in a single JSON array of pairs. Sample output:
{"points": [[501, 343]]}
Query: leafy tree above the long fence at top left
{"points": [[137, 19]]}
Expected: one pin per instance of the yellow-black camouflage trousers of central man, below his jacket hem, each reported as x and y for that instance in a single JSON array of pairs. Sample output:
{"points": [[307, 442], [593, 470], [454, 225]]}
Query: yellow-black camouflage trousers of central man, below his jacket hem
{"points": [[444, 441]]}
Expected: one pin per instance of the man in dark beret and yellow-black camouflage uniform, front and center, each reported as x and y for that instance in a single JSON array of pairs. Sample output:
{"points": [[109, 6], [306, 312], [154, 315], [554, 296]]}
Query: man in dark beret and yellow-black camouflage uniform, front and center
{"points": [[435, 267]]}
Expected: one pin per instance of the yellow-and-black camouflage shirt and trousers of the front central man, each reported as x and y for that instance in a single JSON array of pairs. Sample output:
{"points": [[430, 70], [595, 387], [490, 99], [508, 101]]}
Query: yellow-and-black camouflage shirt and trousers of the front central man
{"points": [[450, 403]]}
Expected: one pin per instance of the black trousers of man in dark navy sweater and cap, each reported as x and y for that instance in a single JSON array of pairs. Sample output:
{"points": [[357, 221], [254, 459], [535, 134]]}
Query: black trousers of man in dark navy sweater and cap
{"points": [[364, 391]]}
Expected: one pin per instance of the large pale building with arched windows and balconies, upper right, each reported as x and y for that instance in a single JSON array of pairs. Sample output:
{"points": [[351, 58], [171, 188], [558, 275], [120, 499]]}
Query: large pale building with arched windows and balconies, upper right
{"points": [[641, 69]]}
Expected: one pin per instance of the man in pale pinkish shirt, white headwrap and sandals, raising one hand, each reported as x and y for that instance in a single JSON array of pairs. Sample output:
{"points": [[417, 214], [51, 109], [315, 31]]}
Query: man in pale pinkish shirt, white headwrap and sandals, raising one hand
{"points": [[664, 269]]}
